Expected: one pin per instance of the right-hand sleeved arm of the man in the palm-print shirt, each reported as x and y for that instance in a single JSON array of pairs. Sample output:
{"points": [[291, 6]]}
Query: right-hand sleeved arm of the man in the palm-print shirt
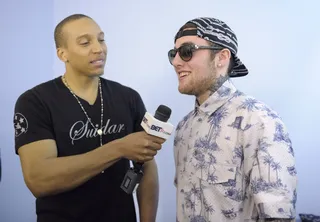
{"points": [[271, 170]]}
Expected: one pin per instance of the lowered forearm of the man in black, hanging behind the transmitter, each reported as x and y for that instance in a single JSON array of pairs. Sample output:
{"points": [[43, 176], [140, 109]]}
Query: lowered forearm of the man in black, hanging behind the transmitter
{"points": [[148, 193]]}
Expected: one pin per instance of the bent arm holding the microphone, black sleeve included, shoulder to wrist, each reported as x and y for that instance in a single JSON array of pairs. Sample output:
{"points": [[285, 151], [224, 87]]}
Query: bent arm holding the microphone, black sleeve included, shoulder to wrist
{"points": [[44, 172]]}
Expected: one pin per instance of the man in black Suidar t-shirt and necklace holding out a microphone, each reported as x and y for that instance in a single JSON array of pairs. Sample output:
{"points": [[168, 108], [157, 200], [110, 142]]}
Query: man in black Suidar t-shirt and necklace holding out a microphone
{"points": [[75, 135]]}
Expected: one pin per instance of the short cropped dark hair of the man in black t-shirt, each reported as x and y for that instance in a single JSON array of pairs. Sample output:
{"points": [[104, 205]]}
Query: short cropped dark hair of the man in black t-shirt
{"points": [[59, 38]]}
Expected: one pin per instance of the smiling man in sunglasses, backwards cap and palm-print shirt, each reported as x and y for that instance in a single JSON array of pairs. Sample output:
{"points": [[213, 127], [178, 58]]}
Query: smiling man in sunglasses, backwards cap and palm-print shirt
{"points": [[234, 158]]}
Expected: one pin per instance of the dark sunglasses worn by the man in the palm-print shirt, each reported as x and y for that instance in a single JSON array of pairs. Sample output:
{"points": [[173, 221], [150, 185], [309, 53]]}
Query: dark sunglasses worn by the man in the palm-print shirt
{"points": [[186, 51]]}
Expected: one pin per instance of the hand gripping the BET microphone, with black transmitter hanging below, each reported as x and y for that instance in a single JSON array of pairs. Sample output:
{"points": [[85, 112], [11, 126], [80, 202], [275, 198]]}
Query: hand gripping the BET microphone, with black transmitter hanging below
{"points": [[146, 144]]}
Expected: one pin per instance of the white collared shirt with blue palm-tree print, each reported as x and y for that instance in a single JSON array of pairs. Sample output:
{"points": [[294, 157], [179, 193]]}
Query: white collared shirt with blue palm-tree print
{"points": [[234, 161]]}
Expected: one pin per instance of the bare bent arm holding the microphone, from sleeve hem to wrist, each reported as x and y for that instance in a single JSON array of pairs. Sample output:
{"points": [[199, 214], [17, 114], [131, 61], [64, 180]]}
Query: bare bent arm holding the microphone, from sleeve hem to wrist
{"points": [[46, 174]]}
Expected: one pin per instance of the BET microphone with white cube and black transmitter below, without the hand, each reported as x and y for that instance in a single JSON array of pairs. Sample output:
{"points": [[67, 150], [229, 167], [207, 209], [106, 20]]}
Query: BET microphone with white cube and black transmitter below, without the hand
{"points": [[156, 125]]}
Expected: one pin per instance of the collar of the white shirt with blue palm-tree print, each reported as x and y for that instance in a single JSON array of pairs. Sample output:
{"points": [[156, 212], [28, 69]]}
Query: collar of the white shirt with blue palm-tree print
{"points": [[217, 99]]}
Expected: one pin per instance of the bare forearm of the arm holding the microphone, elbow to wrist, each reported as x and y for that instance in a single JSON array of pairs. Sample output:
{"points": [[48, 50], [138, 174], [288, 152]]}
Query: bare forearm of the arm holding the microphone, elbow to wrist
{"points": [[60, 174]]}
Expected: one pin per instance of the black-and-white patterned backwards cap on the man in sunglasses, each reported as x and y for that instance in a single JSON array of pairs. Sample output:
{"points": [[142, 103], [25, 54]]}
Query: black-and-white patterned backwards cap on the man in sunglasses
{"points": [[220, 33]]}
